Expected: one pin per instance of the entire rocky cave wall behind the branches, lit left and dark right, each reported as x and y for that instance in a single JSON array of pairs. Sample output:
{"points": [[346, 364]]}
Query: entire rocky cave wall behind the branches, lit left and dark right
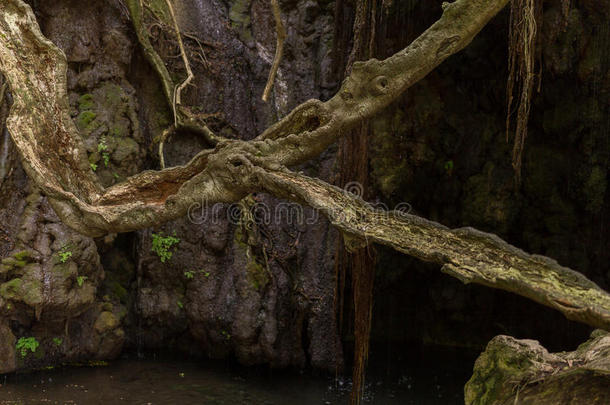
{"points": [[442, 148]]}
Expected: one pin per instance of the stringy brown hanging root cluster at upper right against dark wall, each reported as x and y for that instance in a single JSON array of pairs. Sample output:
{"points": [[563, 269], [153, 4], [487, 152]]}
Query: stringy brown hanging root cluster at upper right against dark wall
{"points": [[522, 50]]}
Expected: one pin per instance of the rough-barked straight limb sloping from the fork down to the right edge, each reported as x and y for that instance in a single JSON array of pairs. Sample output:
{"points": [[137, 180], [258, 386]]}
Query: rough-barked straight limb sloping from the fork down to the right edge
{"points": [[466, 253]]}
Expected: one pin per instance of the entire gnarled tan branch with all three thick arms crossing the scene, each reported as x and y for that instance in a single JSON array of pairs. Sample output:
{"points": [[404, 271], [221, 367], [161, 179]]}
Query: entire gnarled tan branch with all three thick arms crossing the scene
{"points": [[54, 158]]}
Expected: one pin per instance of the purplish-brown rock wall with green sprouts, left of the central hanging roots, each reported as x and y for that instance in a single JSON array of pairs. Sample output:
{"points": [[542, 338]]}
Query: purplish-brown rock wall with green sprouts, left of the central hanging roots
{"points": [[215, 296]]}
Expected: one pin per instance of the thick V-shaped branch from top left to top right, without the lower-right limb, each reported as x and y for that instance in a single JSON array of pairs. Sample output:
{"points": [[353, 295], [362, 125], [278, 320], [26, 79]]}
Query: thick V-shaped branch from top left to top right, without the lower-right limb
{"points": [[44, 133]]}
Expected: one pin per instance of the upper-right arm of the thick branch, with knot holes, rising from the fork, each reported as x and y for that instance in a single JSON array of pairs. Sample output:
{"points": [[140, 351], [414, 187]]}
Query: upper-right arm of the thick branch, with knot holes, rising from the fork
{"points": [[374, 84]]}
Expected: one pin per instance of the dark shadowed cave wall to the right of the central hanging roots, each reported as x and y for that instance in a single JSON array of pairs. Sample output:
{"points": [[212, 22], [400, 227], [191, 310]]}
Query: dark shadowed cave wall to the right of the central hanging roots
{"points": [[443, 150]]}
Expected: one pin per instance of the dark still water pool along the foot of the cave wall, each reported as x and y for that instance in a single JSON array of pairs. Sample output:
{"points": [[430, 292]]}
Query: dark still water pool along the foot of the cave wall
{"points": [[180, 382]]}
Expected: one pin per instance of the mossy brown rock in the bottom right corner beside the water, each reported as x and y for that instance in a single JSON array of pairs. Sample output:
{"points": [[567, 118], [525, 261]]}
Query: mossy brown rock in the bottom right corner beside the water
{"points": [[522, 371]]}
